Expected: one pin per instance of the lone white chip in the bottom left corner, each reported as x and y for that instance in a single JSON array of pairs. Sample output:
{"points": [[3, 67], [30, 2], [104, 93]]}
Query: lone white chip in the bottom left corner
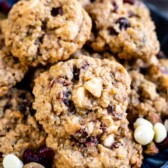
{"points": [[11, 161]]}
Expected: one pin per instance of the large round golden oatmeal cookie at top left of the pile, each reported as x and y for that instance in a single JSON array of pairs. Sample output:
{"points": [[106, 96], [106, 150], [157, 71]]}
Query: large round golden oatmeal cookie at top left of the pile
{"points": [[41, 31]]}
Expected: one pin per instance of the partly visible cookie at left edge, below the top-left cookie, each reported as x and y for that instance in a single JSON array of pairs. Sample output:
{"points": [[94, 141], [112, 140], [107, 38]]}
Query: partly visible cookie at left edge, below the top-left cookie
{"points": [[11, 71]]}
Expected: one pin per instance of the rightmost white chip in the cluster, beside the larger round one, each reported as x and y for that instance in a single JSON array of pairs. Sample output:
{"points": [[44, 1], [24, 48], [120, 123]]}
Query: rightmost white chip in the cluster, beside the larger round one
{"points": [[160, 132]]}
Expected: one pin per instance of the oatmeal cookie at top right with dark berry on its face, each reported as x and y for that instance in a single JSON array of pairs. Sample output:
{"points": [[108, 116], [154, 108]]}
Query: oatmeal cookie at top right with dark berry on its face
{"points": [[123, 27]]}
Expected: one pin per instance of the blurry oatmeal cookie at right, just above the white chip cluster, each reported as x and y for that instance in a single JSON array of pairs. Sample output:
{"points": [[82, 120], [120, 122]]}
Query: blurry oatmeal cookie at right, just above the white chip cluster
{"points": [[145, 97]]}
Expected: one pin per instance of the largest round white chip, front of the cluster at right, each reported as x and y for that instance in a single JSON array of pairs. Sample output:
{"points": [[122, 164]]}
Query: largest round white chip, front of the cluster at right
{"points": [[143, 134]]}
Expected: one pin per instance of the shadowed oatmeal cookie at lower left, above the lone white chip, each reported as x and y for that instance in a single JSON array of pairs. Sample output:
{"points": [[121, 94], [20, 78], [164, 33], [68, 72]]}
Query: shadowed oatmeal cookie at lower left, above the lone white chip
{"points": [[18, 128]]}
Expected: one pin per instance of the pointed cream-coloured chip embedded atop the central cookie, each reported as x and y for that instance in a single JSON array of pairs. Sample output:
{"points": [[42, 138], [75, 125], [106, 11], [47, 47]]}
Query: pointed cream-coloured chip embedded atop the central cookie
{"points": [[94, 86]]}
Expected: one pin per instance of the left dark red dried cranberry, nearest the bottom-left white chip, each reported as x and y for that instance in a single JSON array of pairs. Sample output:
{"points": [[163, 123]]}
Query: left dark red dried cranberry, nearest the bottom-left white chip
{"points": [[30, 156]]}
